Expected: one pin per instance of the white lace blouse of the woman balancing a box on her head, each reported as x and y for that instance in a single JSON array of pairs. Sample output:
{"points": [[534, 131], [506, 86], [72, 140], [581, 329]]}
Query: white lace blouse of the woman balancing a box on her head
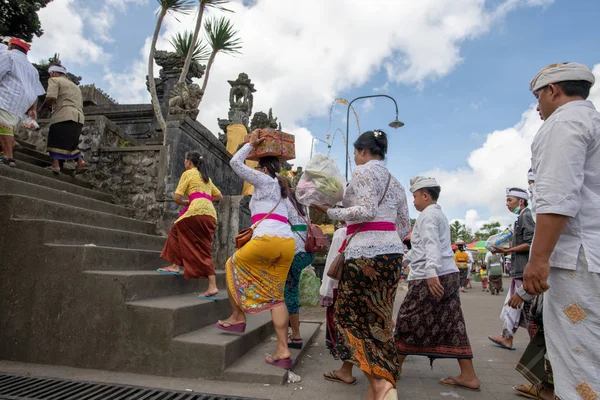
{"points": [[266, 194]]}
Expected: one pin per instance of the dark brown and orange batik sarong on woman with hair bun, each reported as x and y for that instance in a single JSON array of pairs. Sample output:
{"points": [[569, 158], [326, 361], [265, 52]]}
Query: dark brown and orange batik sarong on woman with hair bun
{"points": [[363, 315]]}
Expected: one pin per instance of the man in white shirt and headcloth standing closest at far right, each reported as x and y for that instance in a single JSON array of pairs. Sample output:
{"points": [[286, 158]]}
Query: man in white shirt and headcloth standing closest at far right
{"points": [[565, 256]]}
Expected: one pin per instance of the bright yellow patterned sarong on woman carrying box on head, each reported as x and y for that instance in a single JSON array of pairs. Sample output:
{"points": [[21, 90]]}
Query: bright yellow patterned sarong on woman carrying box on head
{"points": [[257, 272]]}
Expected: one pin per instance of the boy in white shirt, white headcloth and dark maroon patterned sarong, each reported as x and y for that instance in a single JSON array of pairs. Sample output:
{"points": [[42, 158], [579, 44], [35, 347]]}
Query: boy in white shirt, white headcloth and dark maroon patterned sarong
{"points": [[430, 321]]}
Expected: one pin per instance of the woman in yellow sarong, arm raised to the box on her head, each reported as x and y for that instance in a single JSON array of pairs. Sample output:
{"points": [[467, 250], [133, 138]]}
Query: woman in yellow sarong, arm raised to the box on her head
{"points": [[257, 272]]}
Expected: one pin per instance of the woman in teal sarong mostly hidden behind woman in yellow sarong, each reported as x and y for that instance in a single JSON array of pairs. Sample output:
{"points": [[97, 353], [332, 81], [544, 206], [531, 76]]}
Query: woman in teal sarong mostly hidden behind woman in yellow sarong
{"points": [[298, 218]]}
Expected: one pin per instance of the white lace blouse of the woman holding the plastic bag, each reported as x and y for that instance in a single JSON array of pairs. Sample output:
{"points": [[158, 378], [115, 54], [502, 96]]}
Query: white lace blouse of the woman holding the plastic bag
{"points": [[361, 205]]}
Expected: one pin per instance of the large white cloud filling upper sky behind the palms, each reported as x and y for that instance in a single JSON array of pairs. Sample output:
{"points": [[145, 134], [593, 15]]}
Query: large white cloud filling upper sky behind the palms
{"points": [[300, 55]]}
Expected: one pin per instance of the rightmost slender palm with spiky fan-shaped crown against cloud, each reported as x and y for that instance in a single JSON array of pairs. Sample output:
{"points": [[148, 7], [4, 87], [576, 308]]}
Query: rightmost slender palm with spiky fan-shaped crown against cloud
{"points": [[222, 39]]}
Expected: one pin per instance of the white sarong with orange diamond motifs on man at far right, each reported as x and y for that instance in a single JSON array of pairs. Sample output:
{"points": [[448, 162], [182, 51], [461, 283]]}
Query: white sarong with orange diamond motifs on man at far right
{"points": [[572, 326]]}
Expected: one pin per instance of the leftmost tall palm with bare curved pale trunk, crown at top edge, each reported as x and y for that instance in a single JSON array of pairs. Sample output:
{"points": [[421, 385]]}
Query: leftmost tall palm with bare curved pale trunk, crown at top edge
{"points": [[173, 6]]}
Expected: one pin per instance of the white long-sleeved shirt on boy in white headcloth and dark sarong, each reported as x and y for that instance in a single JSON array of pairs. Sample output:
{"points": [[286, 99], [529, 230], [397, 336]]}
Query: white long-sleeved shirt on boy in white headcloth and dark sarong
{"points": [[431, 254]]}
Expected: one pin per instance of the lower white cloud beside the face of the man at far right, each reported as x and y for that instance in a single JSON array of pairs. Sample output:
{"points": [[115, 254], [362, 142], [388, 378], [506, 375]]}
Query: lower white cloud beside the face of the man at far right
{"points": [[501, 162]]}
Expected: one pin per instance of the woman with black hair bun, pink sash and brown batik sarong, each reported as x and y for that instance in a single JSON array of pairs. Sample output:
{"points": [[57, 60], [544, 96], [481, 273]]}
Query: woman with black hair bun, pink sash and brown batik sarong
{"points": [[376, 211]]}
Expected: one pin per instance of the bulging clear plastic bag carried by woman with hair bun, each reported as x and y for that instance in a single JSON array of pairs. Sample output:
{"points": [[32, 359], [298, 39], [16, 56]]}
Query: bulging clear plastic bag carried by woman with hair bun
{"points": [[321, 183]]}
